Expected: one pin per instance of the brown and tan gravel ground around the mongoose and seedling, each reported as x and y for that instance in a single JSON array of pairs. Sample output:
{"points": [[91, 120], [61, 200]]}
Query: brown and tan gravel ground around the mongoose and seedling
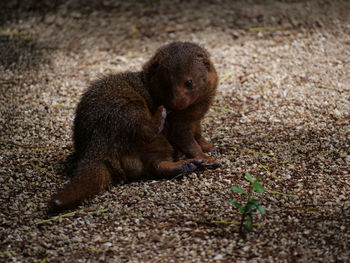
{"points": [[282, 111]]}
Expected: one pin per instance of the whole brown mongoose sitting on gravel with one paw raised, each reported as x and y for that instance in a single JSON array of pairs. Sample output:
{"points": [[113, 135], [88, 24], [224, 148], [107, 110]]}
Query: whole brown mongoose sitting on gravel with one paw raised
{"points": [[130, 125]]}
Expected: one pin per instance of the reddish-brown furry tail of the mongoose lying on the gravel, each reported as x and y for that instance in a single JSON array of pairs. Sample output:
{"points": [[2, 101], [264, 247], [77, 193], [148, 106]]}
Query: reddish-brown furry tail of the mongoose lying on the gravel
{"points": [[89, 179]]}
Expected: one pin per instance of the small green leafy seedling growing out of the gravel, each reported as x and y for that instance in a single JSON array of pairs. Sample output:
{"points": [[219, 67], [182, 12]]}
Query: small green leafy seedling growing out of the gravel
{"points": [[252, 204]]}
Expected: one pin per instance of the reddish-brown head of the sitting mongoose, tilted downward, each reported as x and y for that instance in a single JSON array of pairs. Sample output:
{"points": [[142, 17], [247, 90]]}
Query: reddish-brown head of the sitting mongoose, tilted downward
{"points": [[180, 74]]}
